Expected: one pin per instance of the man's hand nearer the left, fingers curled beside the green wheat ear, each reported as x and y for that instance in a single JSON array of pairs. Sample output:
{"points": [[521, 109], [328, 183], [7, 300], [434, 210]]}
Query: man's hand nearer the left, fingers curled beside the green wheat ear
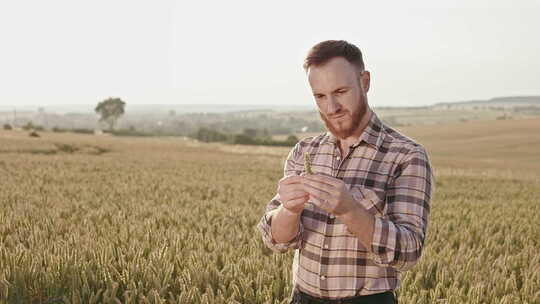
{"points": [[292, 195]]}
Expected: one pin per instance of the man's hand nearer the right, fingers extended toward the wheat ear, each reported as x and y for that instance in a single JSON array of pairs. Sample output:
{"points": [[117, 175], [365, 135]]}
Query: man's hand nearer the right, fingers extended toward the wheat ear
{"points": [[328, 193]]}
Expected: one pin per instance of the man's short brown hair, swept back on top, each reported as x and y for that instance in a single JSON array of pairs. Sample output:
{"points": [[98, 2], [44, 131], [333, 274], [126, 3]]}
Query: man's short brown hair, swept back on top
{"points": [[322, 52]]}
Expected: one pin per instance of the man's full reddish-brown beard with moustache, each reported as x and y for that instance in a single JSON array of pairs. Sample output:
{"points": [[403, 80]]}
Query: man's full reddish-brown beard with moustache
{"points": [[345, 128]]}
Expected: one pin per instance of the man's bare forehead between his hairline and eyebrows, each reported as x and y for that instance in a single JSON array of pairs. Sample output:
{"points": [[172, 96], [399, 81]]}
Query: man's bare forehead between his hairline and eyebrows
{"points": [[334, 73]]}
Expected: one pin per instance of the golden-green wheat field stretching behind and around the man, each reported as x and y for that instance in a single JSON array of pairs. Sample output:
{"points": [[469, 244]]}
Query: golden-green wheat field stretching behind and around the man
{"points": [[98, 219]]}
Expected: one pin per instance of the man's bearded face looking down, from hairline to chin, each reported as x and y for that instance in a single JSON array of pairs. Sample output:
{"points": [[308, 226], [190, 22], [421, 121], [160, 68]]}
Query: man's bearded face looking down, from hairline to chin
{"points": [[340, 93]]}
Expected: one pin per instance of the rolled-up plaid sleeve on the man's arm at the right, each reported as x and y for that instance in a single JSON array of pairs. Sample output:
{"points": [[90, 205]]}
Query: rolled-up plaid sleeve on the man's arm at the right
{"points": [[399, 235]]}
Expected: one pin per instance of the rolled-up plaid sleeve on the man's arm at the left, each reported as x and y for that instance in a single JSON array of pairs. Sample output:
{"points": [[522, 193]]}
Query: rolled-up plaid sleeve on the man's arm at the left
{"points": [[265, 224]]}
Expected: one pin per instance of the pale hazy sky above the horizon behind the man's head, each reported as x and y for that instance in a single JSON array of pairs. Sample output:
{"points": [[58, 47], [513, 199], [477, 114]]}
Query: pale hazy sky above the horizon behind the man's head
{"points": [[251, 52]]}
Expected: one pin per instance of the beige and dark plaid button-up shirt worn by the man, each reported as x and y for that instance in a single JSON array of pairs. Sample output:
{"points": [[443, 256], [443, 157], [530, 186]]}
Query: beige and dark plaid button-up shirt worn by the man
{"points": [[391, 177]]}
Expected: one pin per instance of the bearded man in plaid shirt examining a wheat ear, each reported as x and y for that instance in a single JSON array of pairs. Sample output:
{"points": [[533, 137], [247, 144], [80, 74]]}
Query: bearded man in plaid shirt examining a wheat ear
{"points": [[361, 218]]}
